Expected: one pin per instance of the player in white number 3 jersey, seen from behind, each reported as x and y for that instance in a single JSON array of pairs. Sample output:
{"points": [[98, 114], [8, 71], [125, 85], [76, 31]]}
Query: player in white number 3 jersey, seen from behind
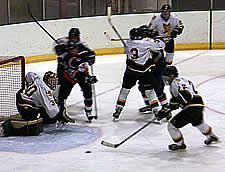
{"points": [[142, 54]]}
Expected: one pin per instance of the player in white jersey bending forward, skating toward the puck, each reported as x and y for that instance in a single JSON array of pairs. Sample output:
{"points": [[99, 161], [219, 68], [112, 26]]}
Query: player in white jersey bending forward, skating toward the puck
{"points": [[187, 98]]}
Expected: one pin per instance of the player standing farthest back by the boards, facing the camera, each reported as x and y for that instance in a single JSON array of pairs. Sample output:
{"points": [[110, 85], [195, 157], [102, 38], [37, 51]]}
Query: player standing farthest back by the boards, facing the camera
{"points": [[167, 24]]}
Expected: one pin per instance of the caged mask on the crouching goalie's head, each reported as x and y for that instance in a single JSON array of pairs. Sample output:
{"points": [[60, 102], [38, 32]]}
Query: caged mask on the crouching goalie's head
{"points": [[50, 78]]}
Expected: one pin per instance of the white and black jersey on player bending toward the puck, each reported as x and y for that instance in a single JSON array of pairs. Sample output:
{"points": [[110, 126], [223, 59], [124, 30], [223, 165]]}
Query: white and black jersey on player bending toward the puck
{"points": [[183, 90]]}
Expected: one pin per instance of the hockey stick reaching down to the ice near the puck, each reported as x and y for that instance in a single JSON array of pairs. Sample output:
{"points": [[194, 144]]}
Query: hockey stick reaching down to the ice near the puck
{"points": [[105, 143]]}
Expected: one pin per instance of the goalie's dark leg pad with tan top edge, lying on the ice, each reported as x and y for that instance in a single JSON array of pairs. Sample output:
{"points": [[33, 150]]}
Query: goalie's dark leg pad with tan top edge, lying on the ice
{"points": [[19, 127]]}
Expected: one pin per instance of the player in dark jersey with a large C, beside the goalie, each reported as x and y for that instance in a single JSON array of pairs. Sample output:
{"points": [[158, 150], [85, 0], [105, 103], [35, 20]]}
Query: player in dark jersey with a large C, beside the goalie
{"points": [[74, 58]]}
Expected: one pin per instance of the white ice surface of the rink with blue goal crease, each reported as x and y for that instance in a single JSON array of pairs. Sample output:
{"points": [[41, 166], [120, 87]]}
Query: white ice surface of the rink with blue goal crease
{"points": [[64, 148]]}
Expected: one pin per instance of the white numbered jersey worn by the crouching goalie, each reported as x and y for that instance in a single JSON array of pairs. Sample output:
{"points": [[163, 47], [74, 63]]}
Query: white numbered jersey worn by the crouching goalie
{"points": [[38, 94]]}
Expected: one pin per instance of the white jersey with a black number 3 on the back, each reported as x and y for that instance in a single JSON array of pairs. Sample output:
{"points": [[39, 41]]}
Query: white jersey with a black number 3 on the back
{"points": [[139, 53]]}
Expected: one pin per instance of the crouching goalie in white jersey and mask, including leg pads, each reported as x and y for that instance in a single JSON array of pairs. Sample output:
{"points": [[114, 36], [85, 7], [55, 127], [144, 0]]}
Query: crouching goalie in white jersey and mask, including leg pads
{"points": [[36, 105]]}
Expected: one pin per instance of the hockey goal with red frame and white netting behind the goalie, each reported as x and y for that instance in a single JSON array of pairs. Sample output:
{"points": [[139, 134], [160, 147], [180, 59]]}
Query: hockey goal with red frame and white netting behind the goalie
{"points": [[12, 72]]}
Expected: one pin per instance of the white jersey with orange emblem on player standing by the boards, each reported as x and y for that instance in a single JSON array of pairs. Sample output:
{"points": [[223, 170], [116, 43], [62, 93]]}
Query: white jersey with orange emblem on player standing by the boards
{"points": [[162, 26]]}
